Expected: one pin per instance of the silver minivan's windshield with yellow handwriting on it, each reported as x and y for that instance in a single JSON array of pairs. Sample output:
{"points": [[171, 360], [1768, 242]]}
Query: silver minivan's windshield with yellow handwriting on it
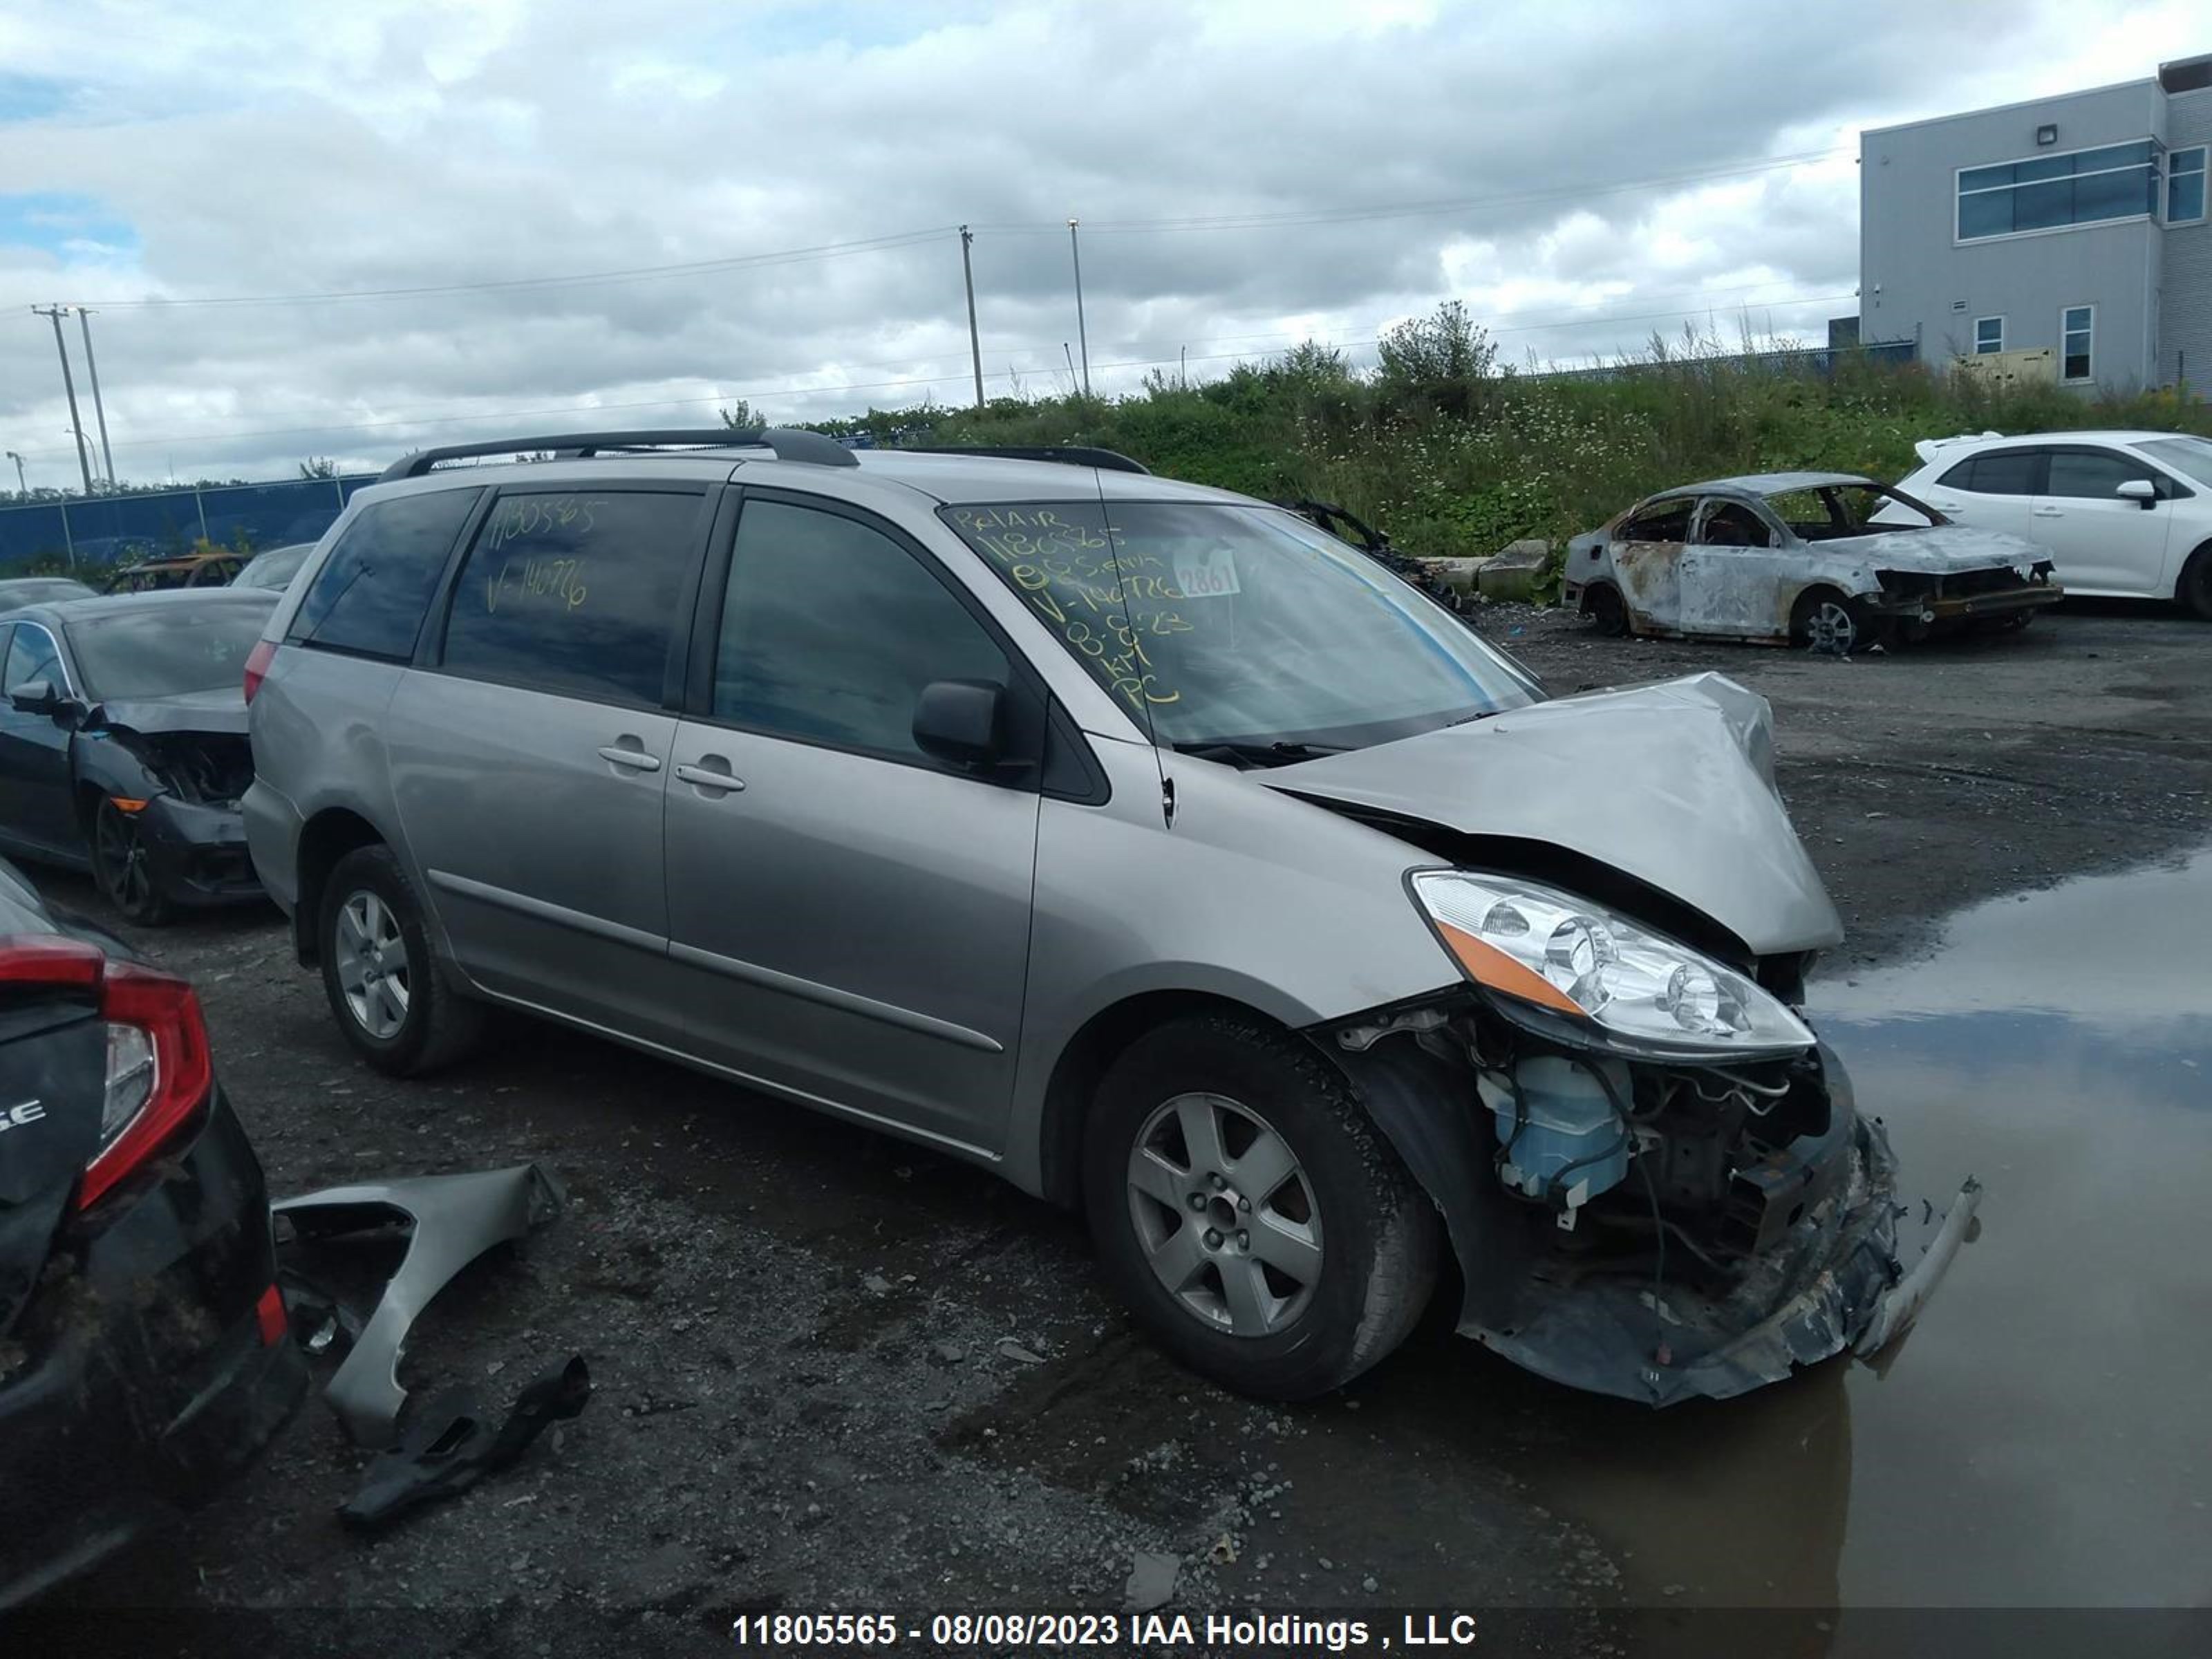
{"points": [[1240, 625]]}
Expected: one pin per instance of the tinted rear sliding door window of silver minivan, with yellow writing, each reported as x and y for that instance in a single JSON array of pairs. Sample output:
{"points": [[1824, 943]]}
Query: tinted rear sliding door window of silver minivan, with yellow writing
{"points": [[576, 592]]}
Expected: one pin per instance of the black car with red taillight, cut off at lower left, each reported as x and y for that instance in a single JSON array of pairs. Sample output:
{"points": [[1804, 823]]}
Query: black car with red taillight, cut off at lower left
{"points": [[145, 1355]]}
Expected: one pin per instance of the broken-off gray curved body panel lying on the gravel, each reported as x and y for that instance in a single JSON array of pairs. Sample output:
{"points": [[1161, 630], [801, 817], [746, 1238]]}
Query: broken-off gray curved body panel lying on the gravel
{"points": [[450, 1222]]}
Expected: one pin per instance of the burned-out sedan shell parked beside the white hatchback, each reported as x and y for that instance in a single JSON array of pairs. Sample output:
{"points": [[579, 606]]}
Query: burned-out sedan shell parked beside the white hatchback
{"points": [[1797, 559]]}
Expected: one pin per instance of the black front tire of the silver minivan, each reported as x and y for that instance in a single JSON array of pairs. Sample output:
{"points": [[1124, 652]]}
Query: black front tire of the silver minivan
{"points": [[1379, 1233]]}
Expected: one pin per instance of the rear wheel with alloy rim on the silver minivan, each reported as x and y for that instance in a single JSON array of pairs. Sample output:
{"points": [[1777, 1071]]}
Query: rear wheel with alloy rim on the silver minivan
{"points": [[393, 997]]}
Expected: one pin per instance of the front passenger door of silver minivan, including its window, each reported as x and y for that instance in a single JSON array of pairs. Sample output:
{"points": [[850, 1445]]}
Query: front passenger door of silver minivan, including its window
{"points": [[853, 917]]}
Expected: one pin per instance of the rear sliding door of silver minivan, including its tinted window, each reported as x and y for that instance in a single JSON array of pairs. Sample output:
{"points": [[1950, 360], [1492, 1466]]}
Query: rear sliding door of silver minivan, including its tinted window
{"points": [[530, 749]]}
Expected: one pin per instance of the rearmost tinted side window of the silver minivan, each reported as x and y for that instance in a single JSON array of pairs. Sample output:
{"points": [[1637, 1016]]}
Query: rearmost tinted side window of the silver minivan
{"points": [[379, 578]]}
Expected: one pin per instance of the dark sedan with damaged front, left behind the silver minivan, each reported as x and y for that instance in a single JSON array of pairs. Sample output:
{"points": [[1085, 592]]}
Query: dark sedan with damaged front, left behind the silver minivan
{"points": [[123, 744]]}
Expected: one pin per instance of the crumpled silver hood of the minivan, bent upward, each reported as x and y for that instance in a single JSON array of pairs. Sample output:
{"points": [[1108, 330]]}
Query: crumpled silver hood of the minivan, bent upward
{"points": [[1671, 784]]}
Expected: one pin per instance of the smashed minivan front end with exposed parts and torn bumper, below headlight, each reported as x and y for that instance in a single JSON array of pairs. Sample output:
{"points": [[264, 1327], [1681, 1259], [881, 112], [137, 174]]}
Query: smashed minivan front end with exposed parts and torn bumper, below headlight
{"points": [[1642, 1229]]}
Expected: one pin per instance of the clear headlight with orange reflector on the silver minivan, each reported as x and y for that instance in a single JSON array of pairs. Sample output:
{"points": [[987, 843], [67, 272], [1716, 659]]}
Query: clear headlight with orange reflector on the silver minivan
{"points": [[1587, 974]]}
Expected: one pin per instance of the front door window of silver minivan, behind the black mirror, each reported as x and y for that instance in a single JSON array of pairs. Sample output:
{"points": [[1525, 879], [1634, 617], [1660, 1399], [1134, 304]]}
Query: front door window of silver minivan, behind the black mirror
{"points": [[831, 632]]}
